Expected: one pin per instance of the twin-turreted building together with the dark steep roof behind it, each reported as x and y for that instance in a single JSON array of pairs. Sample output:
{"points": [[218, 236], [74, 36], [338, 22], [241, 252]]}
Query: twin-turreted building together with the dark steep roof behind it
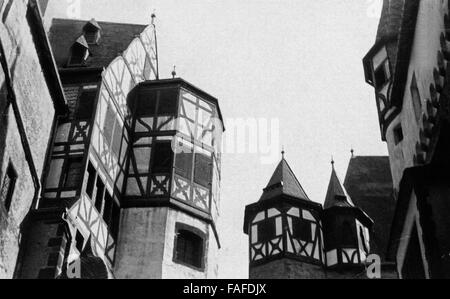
{"points": [[292, 237]]}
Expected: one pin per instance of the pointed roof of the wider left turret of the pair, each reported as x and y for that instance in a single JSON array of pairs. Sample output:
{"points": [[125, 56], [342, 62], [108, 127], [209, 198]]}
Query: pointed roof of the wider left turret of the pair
{"points": [[284, 182]]}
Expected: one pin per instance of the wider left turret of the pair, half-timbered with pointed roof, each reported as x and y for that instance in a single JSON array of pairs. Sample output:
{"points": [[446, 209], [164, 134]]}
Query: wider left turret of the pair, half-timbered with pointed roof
{"points": [[284, 230]]}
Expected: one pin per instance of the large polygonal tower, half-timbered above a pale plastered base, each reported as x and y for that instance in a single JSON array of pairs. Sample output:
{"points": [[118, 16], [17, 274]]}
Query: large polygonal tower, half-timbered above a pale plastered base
{"points": [[171, 198]]}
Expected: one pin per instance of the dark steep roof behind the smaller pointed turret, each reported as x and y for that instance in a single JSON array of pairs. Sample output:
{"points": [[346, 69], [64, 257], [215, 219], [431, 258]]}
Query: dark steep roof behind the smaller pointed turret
{"points": [[369, 183]]}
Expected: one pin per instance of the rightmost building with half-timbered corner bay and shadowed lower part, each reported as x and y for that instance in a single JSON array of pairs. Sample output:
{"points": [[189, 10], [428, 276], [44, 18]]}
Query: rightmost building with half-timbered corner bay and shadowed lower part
{"points": [[408, 68]]}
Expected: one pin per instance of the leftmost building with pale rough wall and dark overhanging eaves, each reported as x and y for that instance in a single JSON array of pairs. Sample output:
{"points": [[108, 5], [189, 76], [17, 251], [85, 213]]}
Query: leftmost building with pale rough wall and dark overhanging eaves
{"points": [[31, 96]]}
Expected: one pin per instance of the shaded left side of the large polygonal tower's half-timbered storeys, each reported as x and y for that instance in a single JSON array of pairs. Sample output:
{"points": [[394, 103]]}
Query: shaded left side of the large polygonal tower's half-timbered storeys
{"points": [[151, 160]]}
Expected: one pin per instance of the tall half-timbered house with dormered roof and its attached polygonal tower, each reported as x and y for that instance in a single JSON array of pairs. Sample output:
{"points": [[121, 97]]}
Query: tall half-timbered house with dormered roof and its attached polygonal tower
{"points": [[132, 180]]}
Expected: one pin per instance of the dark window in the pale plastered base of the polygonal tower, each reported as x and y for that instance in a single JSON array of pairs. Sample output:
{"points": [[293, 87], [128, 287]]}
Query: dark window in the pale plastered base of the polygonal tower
{"points": [[189, 248]]}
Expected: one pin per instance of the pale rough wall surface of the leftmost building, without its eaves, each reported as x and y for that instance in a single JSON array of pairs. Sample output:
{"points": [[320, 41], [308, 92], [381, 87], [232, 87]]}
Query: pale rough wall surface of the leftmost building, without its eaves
{"points": [[36, 111]]}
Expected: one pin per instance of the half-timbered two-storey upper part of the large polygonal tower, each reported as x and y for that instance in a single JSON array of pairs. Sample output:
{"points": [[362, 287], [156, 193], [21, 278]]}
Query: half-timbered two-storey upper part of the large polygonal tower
{"points": [[176, 153]]}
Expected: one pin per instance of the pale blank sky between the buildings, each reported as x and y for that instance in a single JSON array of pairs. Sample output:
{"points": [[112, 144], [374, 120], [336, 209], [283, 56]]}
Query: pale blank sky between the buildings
{"points": [[299, 61]]}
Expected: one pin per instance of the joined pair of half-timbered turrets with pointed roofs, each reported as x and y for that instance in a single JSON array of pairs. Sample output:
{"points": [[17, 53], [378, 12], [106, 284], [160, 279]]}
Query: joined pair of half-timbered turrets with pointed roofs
{"points": [[292, 237]]}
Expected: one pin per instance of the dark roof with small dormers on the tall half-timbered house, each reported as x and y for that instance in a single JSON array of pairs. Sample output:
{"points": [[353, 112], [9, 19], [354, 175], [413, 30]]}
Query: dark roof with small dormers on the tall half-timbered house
{"points": [[115, 38]]}
